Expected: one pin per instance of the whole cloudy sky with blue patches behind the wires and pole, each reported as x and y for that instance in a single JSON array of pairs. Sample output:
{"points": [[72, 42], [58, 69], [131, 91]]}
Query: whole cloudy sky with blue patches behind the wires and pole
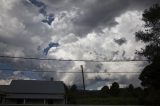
{"points": [[72, 29]]}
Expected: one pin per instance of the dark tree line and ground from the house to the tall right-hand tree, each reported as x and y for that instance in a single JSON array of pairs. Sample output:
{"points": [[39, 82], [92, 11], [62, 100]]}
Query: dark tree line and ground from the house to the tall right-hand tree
{"points": [[112, 95]]}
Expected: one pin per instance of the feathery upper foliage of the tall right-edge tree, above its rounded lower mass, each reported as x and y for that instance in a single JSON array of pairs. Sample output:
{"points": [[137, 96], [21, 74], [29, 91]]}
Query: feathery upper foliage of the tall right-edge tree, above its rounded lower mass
{"points": [[151, 34]]}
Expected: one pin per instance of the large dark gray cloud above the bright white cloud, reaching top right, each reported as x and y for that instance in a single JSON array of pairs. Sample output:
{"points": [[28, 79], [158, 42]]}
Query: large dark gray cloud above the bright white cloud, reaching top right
{"points": [[99, 14]]}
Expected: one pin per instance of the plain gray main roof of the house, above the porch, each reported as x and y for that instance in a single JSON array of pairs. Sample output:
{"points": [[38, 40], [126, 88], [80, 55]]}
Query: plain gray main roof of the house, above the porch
{"points": [[36, 87]]}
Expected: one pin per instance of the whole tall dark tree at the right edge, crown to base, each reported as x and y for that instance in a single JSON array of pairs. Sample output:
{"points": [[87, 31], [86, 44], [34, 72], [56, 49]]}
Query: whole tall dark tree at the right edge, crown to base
{"points": [[151, 36]]}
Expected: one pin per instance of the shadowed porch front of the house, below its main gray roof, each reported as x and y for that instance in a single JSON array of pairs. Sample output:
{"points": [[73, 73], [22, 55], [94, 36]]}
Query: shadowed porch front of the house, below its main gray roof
{"points": [[32, 99]]}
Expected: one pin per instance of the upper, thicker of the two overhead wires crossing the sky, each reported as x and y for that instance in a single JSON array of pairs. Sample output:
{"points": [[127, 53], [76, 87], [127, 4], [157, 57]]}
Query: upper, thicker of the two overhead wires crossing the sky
{"points": [[36, 58]]}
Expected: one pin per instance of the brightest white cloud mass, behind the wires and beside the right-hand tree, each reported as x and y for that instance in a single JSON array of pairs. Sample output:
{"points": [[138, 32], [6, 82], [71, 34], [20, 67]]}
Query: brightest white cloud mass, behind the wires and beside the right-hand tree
{"points": [[101, 46]]}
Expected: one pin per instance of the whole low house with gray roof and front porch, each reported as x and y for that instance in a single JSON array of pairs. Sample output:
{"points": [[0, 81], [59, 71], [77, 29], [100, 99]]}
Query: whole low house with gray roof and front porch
{"points": [[33, 92]]}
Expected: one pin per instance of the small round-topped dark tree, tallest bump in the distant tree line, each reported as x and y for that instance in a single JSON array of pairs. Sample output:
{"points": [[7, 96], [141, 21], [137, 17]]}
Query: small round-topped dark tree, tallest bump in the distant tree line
{"points": [[114, 90]]}
